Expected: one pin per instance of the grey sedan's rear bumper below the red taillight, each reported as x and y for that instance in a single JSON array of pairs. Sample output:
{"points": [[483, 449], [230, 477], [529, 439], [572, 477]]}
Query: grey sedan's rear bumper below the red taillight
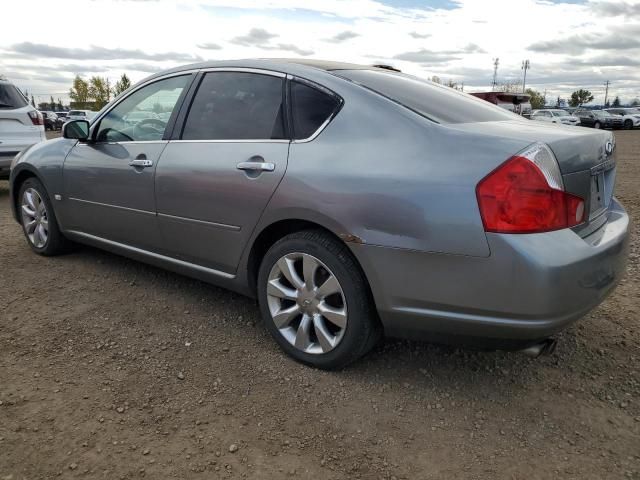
{"points": [[530, 287]]}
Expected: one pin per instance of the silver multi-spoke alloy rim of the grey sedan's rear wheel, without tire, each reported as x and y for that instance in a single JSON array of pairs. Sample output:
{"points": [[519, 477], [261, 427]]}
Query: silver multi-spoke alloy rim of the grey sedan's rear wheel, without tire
{"points": [[307, 303]]}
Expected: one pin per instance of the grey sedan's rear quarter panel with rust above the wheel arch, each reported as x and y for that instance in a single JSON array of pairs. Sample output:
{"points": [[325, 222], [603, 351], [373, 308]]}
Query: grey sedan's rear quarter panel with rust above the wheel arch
{"points": [[386, 176]]}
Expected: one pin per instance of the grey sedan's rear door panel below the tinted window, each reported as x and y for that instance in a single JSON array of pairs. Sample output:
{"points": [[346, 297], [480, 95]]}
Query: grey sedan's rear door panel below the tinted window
{"points": [[207, 207]]}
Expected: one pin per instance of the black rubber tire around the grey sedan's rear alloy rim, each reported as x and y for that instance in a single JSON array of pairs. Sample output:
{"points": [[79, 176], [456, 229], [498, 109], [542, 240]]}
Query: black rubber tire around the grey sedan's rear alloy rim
{"points": [[363, 329]]}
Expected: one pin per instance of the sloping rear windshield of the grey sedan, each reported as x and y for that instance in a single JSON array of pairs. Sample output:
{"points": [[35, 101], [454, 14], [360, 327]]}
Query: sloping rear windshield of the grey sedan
{"points": [[436, 102]]}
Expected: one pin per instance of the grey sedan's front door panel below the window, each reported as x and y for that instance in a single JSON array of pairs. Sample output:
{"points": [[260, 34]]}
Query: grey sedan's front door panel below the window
{"points": [[110, 198]]}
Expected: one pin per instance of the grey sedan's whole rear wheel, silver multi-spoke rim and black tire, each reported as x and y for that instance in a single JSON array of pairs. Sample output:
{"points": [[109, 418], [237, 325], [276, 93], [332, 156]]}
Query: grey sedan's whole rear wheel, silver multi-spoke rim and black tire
{"points": [[315, 300]]}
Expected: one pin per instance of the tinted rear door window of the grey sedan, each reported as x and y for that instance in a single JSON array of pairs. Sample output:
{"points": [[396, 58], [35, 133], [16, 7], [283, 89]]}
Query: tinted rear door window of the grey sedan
{"points": [[236, 106]]}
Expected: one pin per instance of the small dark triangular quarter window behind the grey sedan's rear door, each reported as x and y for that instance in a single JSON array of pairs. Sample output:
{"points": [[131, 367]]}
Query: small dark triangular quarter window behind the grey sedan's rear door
{"points": [[310, 109]]}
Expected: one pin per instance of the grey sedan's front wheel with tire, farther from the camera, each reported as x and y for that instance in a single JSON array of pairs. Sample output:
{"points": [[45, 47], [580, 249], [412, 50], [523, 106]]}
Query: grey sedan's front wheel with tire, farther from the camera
{"points": [[39, 221]]}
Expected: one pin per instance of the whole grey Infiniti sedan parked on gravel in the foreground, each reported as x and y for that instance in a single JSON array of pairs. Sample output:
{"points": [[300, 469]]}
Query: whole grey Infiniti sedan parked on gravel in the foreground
{"points": [[351, 201]]}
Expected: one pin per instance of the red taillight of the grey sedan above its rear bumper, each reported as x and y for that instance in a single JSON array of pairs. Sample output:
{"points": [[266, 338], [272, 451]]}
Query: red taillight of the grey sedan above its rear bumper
{"points": [[517, 198]]}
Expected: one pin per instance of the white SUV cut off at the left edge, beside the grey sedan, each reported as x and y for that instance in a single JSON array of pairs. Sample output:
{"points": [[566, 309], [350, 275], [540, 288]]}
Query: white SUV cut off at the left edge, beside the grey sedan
{"points": [[21, 125]]}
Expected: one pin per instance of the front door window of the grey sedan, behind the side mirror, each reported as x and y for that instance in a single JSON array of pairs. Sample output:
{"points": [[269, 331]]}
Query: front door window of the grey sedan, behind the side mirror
{"points": [[138, 117]]}
